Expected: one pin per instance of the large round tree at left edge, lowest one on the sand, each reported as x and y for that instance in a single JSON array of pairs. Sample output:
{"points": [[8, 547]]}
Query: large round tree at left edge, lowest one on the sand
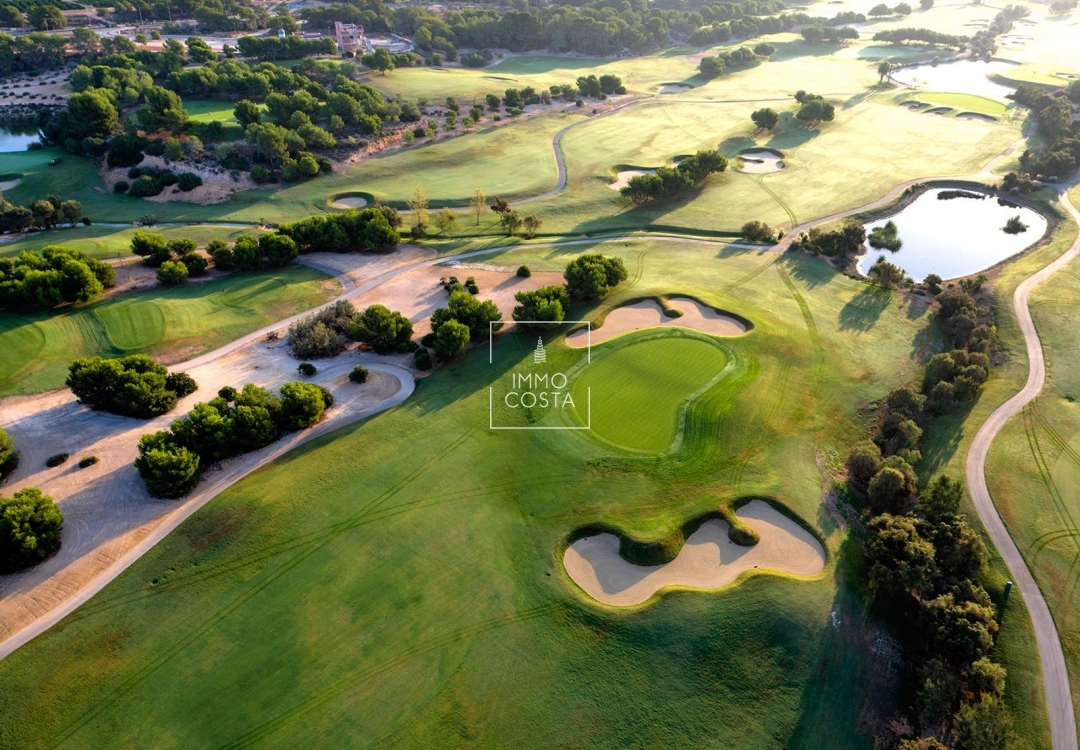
{"points": [[30, 529]]}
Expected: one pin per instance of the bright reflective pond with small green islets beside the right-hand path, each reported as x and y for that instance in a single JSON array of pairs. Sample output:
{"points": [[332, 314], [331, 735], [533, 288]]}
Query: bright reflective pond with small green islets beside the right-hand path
{"points": [[954, 238]]}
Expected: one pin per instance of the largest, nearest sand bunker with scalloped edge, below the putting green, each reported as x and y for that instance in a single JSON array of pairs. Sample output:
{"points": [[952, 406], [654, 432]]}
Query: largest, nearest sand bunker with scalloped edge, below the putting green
{"points": [[709, 559]]}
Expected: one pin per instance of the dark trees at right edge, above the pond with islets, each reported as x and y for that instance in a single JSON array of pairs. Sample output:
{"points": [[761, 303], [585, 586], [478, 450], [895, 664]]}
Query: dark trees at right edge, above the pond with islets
{"points": [[1055, 115]]}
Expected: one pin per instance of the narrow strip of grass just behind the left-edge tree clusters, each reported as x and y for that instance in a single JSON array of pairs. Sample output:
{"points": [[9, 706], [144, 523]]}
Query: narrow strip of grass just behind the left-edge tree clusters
{"points": [[110, 243]]}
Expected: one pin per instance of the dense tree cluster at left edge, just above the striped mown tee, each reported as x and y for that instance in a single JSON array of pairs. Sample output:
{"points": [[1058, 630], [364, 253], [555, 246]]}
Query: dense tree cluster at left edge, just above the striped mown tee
{"points": [[55, 277]]}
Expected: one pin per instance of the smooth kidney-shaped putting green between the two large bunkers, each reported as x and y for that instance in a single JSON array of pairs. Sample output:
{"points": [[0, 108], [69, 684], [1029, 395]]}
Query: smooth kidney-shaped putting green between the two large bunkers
{"points": [[639, 389]]}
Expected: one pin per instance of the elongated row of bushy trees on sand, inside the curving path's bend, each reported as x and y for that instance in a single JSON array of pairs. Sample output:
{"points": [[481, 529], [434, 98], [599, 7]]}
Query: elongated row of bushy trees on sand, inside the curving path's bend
{"points": [[171, 462]]}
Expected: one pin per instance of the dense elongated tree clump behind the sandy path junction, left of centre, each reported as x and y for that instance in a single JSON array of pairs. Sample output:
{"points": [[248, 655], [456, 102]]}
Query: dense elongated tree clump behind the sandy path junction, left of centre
{"points": [[373, 230]]}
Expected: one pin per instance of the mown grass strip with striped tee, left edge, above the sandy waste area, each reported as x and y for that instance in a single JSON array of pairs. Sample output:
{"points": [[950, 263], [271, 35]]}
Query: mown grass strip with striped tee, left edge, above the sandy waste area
{"points": [[171, 324]]}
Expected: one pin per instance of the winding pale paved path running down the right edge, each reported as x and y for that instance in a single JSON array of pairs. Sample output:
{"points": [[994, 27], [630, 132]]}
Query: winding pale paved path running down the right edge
{"points": [[1056, 677]]}
